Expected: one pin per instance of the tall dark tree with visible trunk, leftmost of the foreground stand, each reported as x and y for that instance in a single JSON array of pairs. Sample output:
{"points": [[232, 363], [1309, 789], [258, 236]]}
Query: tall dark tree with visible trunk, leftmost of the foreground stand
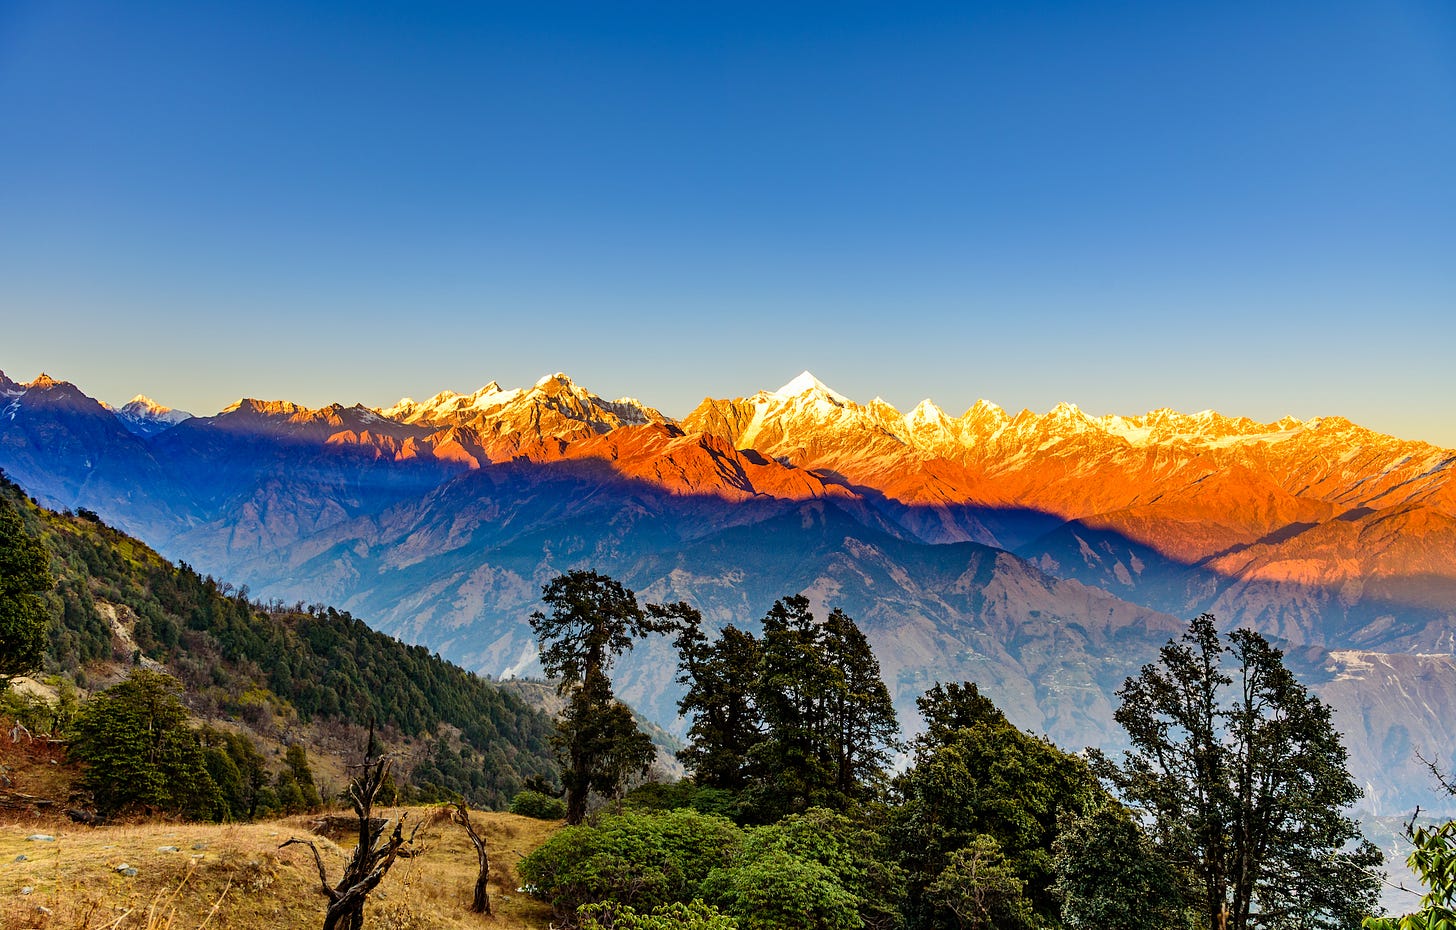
{"points": [[592, 621]]}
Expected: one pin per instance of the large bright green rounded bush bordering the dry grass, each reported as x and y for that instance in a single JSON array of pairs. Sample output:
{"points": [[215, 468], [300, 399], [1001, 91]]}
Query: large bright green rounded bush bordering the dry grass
{"points": [[634, 859]]}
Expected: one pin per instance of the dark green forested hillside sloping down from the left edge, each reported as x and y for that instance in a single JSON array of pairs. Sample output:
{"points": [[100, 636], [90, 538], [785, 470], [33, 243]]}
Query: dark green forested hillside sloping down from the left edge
{"points": [[280, 667]]}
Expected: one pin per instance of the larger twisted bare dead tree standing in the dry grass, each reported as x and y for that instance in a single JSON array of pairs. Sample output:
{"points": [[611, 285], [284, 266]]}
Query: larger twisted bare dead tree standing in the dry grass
{"points": [[375, 854]]}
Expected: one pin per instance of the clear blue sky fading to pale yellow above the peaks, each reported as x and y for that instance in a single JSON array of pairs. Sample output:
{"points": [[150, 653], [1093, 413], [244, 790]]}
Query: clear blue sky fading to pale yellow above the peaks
{"points": [[1238, 206]]}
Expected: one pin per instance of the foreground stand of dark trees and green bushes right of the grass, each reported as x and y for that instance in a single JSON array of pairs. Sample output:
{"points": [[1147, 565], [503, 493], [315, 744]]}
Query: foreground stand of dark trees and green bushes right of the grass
{"points": [[1228, 813]]}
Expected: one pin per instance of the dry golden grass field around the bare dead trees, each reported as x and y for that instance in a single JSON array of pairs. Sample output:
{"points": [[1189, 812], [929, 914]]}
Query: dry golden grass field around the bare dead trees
{"points": [[235, 877]]}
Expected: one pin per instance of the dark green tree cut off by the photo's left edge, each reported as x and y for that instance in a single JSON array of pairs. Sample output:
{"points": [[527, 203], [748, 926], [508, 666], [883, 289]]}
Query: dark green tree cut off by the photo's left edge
{"points": [[25, 579]]}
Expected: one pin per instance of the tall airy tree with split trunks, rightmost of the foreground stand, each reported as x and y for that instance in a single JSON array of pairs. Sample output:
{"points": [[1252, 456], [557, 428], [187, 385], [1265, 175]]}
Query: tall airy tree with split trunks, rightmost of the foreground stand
{"points": [[1246, 778]]}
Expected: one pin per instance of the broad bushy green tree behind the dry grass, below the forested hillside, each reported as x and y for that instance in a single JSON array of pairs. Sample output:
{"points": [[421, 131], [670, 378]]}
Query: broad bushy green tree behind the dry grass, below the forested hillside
{"points": [[139, 752]]}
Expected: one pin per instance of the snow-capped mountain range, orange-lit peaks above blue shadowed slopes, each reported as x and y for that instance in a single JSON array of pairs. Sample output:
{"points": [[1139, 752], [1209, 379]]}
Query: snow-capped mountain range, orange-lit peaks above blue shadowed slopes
{"points": [[1045, 557]]}
